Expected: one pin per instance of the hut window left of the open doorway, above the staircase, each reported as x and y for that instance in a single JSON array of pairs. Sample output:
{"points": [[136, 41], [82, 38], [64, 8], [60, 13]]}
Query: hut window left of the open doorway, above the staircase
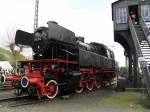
{"points": [[121, 15]]}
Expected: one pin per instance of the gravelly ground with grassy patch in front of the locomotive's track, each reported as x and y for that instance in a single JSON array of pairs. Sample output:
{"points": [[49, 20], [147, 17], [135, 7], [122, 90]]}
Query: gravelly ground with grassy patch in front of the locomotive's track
{"points": [[102, 100]]}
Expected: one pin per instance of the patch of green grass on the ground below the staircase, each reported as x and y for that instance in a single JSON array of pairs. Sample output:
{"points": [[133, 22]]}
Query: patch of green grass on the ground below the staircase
{"points": [[135, 100]]}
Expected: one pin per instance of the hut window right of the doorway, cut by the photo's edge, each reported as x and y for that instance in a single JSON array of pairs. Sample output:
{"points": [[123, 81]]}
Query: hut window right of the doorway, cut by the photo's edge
{"points": [[145, 12]]}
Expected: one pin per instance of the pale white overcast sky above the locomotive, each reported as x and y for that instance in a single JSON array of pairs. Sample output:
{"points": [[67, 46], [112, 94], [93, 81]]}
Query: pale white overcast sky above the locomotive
{"points": [[88, 18]]}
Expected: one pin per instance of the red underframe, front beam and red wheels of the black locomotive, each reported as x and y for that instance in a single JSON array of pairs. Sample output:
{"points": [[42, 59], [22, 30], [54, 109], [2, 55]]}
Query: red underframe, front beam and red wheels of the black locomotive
{"points": [[34, 78]]}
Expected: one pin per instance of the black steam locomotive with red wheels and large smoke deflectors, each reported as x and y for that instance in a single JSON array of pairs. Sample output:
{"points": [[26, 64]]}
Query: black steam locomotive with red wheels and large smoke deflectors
{"points": [[61, 62]]}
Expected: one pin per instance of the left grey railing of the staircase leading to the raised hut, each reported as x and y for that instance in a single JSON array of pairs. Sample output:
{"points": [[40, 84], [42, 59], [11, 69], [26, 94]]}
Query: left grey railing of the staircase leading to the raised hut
{"points": [[142, 61]]}
